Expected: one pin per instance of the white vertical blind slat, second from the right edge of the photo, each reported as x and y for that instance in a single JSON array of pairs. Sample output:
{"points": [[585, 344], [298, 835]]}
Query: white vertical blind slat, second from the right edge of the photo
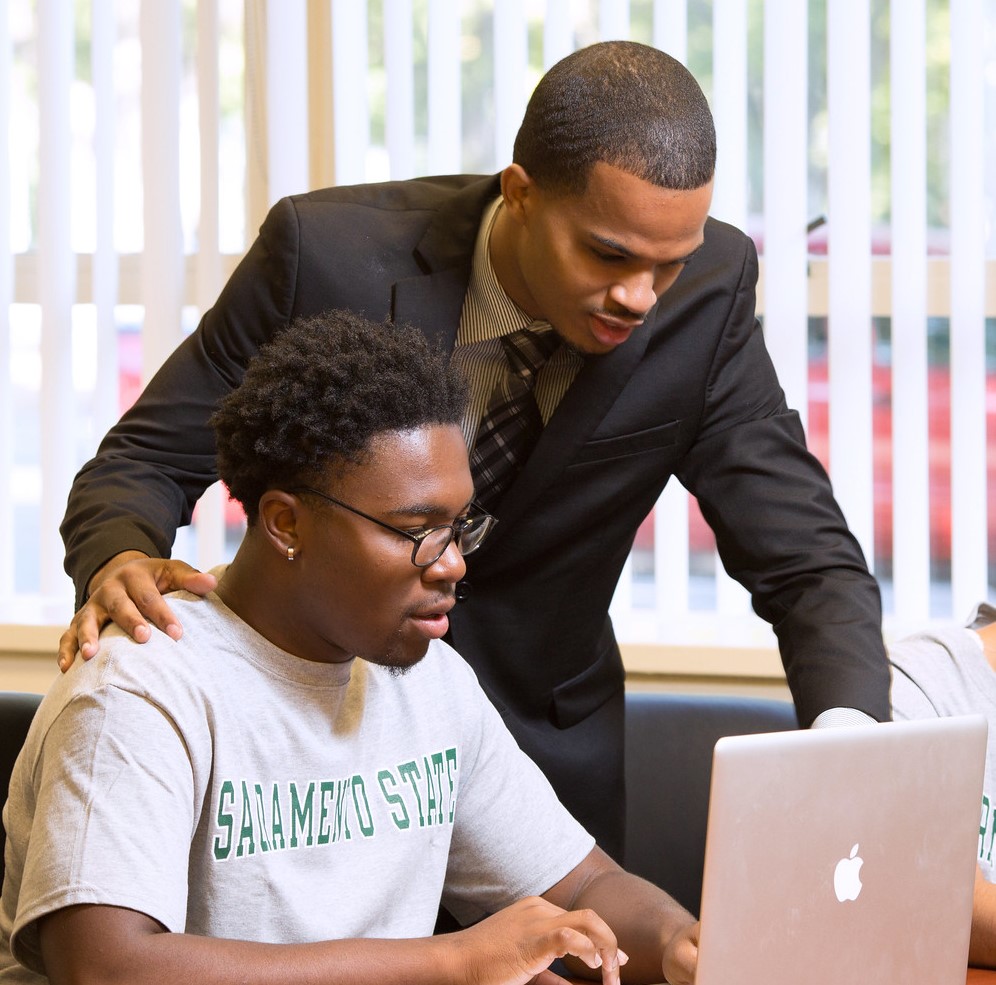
{"points": [[910, 479]]}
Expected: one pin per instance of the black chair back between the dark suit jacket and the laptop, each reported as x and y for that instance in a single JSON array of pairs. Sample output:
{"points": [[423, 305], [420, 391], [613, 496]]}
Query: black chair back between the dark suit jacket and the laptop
{"points": [[669, 743]]}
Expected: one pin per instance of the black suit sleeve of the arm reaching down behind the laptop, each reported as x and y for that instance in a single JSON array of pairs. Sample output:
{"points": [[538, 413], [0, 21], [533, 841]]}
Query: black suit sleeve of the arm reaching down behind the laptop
{"points": [[779, 529]]}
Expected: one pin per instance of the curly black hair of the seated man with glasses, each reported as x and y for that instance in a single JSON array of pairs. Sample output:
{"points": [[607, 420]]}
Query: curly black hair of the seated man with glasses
{"points": [[319, 392]]}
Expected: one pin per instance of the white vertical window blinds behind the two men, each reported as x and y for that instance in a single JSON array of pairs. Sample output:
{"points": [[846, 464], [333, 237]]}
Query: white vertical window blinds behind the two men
{"points": [[146, 140]]}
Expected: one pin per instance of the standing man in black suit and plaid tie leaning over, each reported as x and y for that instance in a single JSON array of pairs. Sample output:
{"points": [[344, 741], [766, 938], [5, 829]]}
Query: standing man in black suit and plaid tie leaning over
{"points": [[598, 228]]}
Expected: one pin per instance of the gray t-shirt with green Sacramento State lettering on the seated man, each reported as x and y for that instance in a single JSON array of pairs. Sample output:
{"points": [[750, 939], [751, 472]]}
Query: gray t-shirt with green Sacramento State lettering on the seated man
{"points": [[228, 789]]}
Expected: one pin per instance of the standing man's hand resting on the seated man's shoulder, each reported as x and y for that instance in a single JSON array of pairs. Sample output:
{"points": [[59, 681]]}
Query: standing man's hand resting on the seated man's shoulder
{"points": [[129, 590]]}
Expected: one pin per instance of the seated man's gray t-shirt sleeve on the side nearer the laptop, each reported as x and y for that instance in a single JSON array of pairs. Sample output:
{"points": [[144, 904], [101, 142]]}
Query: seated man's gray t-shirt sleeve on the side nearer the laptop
{"points": [[512, 837]]}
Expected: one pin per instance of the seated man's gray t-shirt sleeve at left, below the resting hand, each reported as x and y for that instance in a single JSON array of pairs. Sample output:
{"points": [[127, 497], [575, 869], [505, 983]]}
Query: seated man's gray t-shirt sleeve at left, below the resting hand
{"points": [[113, 817]]}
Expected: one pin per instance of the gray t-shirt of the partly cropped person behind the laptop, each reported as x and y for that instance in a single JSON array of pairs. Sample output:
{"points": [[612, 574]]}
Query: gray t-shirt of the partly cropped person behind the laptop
{"points": [[943, 673]]}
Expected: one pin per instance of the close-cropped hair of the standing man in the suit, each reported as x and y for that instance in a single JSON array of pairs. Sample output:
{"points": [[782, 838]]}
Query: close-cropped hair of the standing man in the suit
{"points": [[622, 103]]}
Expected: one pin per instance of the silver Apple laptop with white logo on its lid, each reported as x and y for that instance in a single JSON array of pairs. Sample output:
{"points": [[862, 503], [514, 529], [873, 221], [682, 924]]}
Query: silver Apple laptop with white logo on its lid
{"points": [[843, 855]]}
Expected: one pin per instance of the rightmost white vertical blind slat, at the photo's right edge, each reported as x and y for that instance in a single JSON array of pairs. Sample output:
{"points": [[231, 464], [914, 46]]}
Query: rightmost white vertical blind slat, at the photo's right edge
{"points": [[968, 242]]}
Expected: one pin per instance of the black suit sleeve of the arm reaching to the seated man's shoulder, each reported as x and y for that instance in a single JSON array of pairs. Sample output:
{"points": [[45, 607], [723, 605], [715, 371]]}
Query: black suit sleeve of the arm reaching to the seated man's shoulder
{"points": [[156, 461]]}
